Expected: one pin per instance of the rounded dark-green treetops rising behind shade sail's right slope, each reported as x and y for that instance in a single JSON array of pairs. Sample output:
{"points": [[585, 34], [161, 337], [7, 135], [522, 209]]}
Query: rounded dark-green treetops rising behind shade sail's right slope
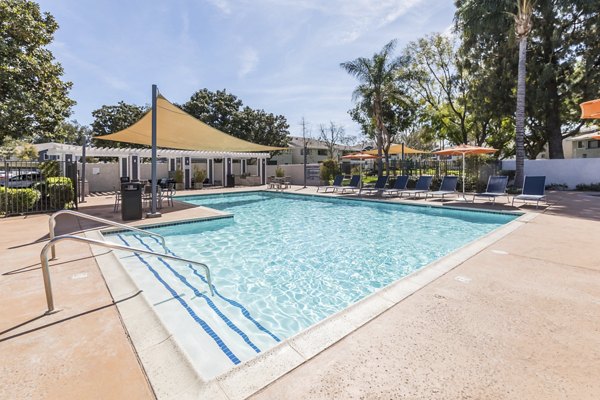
{"points": [[226, 112]]}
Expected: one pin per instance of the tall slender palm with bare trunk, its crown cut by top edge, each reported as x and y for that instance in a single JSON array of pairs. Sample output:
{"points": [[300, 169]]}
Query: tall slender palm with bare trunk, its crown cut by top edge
{"points": [[522, 30]]}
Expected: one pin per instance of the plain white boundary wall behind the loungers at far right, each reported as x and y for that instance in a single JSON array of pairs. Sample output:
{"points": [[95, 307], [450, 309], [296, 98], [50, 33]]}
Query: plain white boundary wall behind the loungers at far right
{"points": [[571, 171]]}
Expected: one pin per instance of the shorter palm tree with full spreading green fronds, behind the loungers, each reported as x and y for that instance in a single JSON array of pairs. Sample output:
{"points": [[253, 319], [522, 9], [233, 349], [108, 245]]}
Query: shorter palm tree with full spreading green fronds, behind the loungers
{"points": [[376, 76]]}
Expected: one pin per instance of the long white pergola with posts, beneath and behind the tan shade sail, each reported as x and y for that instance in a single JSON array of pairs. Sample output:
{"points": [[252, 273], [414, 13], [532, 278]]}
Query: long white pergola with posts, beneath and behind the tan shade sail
{"points": [[129, 159]]}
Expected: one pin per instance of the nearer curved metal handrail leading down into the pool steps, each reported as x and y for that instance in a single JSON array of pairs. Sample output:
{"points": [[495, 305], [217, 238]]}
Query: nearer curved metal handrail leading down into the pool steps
{"points": [[46, 270]]}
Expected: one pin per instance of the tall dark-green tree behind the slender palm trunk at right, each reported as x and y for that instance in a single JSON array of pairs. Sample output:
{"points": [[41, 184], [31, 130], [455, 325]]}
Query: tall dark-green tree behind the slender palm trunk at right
{"points": [[563, 62]]}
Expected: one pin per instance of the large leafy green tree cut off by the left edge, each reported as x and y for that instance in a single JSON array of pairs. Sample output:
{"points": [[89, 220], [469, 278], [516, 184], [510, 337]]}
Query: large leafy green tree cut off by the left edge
{"points": [[33, 98]]}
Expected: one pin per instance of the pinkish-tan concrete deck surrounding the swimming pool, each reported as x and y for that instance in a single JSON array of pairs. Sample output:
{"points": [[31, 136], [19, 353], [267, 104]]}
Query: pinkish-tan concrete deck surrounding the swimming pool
{"points": [[517, 320]]}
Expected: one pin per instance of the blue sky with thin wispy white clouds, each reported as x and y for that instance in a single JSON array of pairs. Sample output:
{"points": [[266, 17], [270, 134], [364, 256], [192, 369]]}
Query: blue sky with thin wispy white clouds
{"points": [[282, 56]]}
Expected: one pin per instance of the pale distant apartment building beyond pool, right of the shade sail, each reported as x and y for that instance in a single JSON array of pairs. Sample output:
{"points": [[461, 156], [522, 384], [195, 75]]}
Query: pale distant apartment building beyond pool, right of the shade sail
{"points": [[316, 152]]}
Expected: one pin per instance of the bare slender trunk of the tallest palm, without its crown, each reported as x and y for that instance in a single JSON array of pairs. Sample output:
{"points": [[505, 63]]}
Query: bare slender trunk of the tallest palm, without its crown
{"points": [[520, 114]]}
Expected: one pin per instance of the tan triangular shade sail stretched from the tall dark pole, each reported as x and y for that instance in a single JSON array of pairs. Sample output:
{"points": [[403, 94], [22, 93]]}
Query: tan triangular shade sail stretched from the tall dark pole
{"points": [[176, 129]]}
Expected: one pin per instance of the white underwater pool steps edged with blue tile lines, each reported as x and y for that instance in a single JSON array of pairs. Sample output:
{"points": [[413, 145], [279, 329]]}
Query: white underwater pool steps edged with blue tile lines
{"points": [[224, 331]]}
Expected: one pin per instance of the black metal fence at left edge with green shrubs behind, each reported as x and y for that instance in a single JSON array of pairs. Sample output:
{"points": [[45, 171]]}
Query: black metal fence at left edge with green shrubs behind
{"points": [[36, 187]]}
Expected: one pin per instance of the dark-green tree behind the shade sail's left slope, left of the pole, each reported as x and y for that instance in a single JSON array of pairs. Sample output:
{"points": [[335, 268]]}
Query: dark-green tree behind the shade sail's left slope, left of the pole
{"points": [[111, 119]]}
